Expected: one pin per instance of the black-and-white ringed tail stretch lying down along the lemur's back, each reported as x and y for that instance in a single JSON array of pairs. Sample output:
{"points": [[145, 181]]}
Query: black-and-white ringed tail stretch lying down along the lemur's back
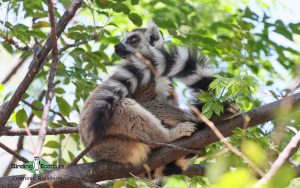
{"points": [[123, 83]]}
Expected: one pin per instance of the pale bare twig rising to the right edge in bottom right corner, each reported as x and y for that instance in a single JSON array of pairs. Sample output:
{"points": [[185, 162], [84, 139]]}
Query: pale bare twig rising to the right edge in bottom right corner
{"points": [[288, 151]]}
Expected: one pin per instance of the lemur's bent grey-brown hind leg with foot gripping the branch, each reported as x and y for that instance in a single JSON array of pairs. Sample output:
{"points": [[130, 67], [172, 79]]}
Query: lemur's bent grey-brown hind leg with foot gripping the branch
{"points": [[132, 120]]}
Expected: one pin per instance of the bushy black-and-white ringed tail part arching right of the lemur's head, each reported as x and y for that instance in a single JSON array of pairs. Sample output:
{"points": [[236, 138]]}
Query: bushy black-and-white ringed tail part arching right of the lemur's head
{"points": [[188, 66]]}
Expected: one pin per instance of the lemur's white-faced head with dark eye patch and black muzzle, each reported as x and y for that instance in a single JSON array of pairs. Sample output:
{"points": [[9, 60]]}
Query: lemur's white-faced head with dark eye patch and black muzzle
{"points": [[140, 40]]}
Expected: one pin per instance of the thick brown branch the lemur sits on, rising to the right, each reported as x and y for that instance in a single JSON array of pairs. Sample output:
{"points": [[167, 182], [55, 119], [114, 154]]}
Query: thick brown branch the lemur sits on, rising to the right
{"points": [[103, 170]]}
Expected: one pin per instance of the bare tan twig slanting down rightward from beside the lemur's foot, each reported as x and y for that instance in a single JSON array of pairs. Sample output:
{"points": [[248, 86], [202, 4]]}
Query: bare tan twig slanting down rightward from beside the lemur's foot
{"points": [[212, 126]]}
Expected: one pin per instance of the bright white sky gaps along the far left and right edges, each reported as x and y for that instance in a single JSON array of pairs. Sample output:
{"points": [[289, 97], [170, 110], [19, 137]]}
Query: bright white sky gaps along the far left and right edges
{"points": [[290, 13]]}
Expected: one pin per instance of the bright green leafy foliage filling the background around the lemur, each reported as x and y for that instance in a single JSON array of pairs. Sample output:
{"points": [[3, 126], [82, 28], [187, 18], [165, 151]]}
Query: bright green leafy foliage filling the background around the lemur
{"points": [[237, 41]]}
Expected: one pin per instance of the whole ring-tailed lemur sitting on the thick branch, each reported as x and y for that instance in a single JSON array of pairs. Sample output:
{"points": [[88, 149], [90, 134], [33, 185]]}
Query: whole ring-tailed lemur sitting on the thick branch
{"points": [[109, 112]]}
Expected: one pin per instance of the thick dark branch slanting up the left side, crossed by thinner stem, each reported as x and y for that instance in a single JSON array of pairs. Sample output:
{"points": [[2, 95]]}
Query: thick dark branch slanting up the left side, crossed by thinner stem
{"points": [[36, 63]]}
